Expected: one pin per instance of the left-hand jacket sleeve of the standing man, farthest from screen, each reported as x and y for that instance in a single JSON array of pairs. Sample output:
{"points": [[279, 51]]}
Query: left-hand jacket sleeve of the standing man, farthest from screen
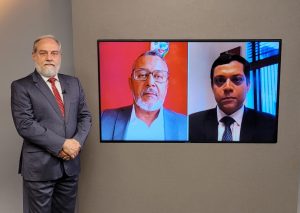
{"points": [[26, 123]]}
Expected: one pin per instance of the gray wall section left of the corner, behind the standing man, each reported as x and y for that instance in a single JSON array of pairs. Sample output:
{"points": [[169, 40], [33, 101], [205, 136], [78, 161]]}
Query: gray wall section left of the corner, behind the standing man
{"points": [[20, 23]]}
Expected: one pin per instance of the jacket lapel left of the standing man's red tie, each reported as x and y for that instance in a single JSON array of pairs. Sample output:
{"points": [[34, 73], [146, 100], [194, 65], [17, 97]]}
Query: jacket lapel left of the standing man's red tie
{"points": [[45, 90]]}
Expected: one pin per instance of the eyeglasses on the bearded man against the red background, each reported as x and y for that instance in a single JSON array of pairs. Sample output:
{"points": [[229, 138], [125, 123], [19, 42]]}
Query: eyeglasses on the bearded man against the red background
{"points": [[160, 76]]}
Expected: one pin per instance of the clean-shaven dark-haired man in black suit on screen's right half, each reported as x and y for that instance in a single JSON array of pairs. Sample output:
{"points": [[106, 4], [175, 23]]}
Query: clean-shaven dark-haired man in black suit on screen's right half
{"points": [[231, 121]]}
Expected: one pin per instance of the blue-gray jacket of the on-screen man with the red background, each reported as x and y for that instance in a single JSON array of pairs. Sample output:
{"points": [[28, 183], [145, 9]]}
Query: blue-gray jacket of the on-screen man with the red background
{"points": [[114, 123]]}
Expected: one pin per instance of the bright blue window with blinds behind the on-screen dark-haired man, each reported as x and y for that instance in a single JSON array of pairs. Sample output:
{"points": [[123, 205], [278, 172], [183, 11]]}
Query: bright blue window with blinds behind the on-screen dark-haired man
{"points": [[264, 60]]}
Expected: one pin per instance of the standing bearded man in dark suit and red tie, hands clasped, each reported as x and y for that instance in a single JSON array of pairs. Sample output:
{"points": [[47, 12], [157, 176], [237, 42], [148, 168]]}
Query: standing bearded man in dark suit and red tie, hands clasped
{"points": [[50, 113]]}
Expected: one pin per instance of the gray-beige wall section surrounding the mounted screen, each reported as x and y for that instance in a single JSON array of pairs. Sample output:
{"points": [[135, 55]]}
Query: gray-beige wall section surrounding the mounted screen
{"points": [[207, 178]]}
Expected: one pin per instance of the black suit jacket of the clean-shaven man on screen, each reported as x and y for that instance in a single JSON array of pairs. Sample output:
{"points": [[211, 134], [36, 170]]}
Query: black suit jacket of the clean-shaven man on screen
{"points": [[256, 127]]}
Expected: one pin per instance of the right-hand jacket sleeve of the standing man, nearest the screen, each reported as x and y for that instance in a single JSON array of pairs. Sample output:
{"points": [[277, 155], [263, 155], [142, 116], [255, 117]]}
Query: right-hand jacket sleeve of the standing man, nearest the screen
{"points": [[84, 119]]}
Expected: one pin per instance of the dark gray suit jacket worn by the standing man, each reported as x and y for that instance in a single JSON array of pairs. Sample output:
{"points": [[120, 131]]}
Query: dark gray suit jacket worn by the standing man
{"points": [[38, 120]]}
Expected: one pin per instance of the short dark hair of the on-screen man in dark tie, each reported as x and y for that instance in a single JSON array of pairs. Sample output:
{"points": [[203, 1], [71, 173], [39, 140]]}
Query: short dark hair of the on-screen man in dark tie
{"points": [[226, 58]]}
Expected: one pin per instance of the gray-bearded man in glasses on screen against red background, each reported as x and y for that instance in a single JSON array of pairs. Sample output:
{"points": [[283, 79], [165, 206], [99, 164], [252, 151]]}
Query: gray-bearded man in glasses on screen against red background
{"points": [[146, 119]]}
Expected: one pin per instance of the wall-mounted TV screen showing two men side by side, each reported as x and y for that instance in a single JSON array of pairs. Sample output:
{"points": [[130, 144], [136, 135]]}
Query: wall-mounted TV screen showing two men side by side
{"points": [[179, 91]]}
